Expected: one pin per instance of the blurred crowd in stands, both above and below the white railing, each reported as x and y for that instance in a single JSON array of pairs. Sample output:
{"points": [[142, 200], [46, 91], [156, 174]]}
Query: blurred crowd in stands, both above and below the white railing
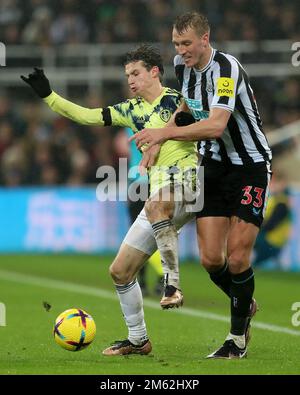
{"points": [[39, 148]]}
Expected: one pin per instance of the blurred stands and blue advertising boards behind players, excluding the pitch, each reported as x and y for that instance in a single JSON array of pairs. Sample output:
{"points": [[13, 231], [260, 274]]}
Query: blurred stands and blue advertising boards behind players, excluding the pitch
{"points": [[48, 164]]}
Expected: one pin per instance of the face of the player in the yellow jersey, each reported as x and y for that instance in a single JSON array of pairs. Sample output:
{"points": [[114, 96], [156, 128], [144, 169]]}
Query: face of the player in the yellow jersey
{"points": [[139, 78]]}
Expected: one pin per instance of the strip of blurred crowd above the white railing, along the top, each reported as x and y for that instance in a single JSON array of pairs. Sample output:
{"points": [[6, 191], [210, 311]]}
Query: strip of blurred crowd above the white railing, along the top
{"points": [[55, 22]]}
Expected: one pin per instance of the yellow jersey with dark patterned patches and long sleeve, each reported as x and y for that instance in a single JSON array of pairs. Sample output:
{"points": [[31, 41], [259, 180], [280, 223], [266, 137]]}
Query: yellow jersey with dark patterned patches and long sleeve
{"points": [[138, 114]]}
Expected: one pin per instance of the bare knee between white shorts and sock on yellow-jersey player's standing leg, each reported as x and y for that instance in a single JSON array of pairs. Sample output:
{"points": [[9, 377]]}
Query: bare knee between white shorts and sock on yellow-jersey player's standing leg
{"points": [[127, 263]]}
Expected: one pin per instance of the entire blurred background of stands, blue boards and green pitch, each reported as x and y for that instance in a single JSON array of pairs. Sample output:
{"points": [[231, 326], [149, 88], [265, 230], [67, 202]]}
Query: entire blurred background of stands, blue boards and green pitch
{"points": [[48, 184]]}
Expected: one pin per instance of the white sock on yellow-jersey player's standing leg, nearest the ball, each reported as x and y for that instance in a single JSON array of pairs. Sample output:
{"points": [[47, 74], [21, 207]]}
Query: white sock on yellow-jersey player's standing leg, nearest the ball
{"points": [[131, 302]]}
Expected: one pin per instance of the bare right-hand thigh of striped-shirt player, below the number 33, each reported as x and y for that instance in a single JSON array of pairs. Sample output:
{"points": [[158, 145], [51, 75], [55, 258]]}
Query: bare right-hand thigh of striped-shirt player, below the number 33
{"points": [[241, 240]]}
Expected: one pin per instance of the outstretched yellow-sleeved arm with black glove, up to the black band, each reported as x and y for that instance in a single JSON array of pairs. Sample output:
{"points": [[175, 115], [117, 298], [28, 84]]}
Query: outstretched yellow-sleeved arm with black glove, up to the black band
{"points": [[41, 86]]}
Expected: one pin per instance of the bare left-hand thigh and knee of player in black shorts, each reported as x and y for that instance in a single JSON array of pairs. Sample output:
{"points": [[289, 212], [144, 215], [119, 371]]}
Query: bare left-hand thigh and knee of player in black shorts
{"points": [[212, 233]]}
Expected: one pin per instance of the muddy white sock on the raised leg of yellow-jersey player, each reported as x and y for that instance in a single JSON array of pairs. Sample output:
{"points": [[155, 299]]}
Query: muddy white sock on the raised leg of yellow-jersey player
{"points": [[166, 238]]}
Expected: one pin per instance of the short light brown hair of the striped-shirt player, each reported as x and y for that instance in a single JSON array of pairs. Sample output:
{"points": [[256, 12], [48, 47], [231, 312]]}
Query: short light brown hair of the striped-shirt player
{"points": [[192, 20]]}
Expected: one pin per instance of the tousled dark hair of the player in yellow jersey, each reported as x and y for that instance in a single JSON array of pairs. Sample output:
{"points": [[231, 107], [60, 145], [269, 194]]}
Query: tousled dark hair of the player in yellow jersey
{"points": [[148, 54]]}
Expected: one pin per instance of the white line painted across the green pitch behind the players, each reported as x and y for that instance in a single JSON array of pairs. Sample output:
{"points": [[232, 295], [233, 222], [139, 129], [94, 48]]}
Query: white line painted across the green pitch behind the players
{"points": [[98, 292]]}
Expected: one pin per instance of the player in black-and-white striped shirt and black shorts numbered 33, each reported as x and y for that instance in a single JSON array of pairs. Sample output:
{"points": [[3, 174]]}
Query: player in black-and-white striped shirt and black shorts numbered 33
{"points": [[236, 158]]}
